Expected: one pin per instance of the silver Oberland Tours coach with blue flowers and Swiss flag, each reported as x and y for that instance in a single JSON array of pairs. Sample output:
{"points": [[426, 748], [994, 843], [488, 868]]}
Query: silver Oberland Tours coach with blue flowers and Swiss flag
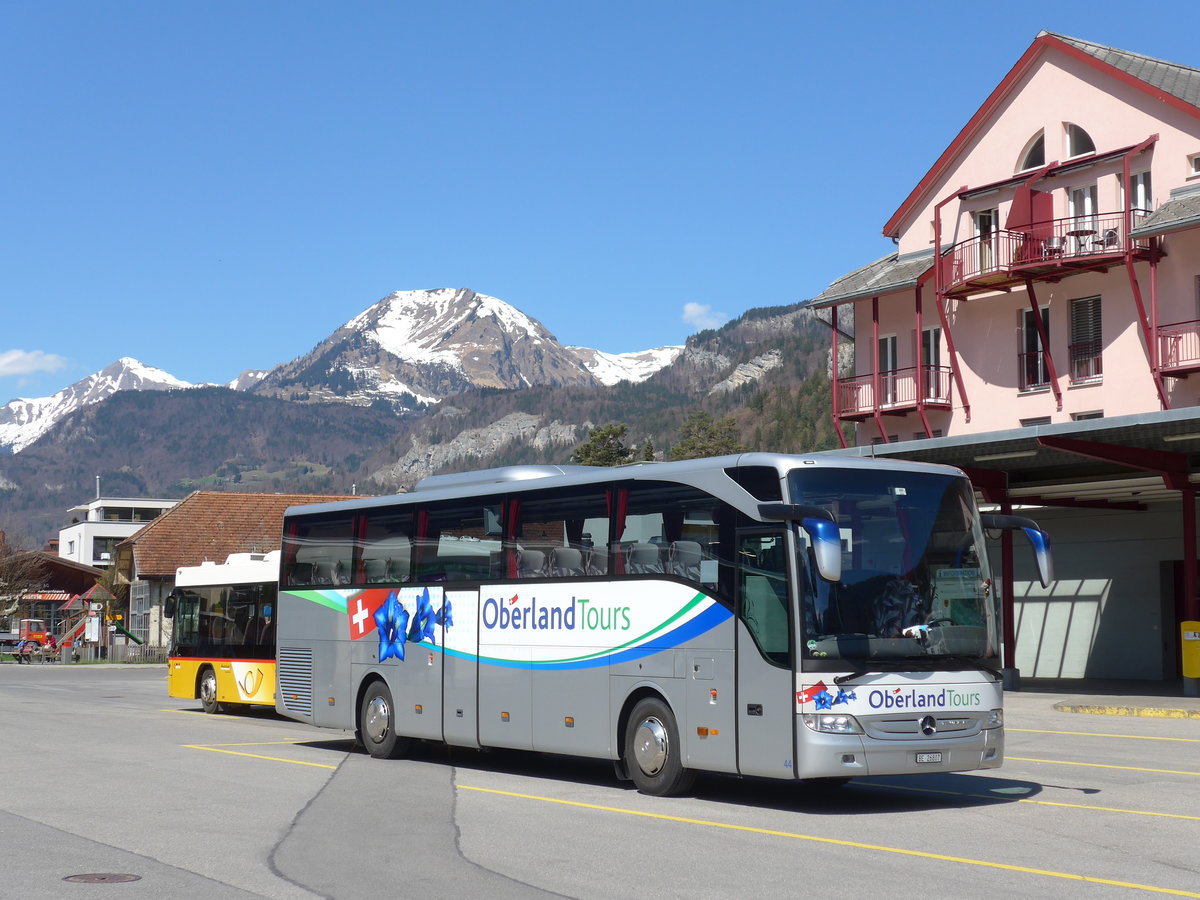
{"points": [[790, 617]]}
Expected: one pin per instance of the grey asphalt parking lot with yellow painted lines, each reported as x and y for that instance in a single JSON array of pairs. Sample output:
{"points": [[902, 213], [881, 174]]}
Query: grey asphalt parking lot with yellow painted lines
{"points": [[106, 778]]}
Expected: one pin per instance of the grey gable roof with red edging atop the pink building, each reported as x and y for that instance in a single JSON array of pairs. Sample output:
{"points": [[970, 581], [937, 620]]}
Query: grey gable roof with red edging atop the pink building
{"points": [[1172, 83]]}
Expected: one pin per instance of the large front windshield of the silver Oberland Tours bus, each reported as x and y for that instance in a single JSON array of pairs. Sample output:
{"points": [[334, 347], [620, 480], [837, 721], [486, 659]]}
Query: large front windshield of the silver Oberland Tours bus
{"points": [[915, 580]]}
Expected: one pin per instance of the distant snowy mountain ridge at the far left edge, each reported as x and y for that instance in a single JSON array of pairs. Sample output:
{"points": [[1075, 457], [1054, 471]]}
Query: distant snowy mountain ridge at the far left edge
{"points": [[23, 422]]}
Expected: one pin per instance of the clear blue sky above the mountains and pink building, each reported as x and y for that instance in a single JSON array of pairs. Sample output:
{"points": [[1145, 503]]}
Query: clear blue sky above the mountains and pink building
{"points": [[218, 187]]}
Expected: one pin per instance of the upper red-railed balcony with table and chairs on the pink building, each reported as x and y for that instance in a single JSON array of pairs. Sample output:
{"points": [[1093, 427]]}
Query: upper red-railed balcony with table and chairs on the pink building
{"points": [[1045, 251]]}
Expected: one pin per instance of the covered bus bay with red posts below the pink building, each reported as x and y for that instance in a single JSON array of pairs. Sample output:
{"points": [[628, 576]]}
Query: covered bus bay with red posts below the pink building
{"points": [[1118, 497]]}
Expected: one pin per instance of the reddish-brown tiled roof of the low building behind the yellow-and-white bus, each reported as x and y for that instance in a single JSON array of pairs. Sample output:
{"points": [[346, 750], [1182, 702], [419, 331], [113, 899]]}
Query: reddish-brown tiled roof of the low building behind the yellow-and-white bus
{"points": [[211, 525]]}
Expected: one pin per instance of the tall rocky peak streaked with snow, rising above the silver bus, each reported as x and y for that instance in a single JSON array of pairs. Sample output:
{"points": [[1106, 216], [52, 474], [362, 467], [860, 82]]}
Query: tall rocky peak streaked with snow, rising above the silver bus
{"points": [[417, 347]]}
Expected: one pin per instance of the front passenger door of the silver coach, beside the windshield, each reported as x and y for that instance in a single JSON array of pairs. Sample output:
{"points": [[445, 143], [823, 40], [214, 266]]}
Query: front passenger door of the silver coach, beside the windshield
{"points": [[765, 693]]}
